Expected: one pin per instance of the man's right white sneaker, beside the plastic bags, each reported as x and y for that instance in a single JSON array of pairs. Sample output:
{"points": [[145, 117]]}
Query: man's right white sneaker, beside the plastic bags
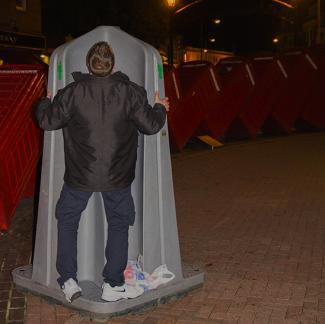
{"points": [[120, 292]]}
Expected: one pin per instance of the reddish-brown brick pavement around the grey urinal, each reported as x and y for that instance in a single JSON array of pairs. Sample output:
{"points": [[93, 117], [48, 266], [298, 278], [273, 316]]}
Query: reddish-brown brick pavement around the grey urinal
{"points": [[251, 215]]}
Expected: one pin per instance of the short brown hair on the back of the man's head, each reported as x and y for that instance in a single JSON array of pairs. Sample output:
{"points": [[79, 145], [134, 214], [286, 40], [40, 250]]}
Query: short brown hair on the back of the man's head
{"points": [[100, 59]]}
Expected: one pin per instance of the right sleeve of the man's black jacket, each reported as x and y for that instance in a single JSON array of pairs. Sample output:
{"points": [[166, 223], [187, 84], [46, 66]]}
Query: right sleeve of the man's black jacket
{"points": [[149, 120]]}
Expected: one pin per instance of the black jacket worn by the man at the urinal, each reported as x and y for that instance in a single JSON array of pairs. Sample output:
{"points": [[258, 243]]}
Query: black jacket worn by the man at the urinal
{"points": [[100, 118]]}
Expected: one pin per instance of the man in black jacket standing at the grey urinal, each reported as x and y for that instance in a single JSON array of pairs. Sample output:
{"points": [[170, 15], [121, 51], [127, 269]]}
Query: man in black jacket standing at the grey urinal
{"points": [[100, 115]]}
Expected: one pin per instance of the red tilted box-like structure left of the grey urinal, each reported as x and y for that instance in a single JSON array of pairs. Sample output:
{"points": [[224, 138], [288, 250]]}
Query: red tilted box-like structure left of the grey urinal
{"points": [[20, 87]]}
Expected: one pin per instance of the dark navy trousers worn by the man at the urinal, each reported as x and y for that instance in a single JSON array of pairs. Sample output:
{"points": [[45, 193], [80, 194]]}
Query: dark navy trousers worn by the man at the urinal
{"points": [[120, 214]]}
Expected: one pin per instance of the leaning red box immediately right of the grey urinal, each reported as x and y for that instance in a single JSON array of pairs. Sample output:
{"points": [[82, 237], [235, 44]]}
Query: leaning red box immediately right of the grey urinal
{"points": [[192, 91]]}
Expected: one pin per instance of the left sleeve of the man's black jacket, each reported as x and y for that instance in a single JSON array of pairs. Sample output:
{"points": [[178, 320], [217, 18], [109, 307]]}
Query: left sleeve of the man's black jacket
{"points": [[56, 114]]}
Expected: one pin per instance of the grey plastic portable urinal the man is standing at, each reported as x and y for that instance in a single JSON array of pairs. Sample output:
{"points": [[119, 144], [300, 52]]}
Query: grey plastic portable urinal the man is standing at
{"points": [[154, 235]]}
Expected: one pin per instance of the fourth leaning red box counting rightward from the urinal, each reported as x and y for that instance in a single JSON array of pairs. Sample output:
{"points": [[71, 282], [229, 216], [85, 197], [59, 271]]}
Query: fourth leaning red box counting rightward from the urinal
{"points": [[302, 74]]}
